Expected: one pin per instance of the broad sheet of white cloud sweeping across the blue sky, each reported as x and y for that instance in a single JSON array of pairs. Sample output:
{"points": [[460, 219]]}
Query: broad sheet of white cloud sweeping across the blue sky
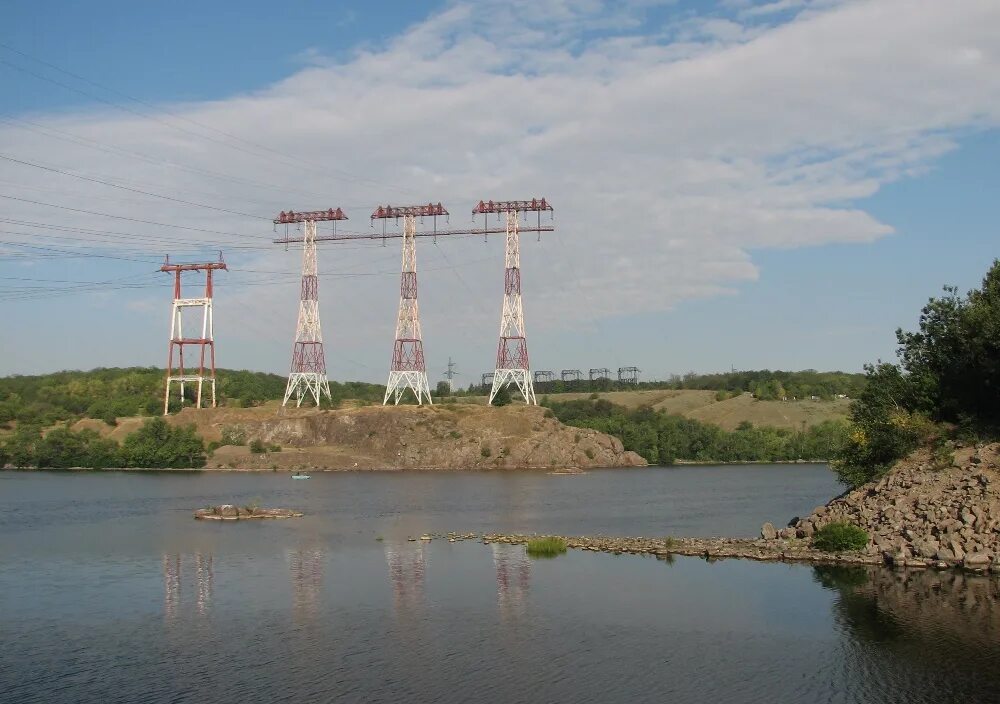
{"points": [[667, 161]]}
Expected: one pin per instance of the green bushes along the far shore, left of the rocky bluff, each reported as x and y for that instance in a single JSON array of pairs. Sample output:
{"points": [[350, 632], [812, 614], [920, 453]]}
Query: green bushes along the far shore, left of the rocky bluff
{"points": [[155, 445]]}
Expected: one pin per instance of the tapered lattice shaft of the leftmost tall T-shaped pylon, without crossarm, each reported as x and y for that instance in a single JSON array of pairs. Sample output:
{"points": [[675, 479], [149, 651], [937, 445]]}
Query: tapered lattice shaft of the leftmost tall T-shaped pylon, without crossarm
{"points": [[308, 372]]}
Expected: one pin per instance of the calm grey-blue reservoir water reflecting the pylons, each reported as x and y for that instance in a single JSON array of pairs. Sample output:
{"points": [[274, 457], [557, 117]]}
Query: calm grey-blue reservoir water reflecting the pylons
{"points": [[111, 592]]}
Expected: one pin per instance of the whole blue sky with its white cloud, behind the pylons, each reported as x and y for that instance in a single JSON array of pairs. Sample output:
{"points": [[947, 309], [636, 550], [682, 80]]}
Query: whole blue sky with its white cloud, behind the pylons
{"points": [[776, 184]]}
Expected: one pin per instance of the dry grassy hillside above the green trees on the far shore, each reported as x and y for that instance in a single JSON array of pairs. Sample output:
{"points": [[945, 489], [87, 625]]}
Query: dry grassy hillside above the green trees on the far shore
{"points": [[702, 406]]}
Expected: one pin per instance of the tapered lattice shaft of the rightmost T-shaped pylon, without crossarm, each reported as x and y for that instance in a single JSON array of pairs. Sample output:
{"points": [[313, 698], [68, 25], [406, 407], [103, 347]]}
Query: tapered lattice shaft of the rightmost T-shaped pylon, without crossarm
{"points": [[512, 350]]}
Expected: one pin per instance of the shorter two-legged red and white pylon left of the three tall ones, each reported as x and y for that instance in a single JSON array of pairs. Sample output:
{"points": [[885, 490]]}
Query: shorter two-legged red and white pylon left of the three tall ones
{"points": [[175, 348]]}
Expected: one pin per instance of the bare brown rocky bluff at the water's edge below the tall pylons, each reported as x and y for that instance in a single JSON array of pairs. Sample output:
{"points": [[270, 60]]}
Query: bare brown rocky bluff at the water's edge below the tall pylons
{"points": [[445, 436]]}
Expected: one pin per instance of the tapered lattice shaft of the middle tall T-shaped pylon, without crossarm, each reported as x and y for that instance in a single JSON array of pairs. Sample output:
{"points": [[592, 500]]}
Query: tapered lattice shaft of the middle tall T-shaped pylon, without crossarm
{"points": [[408, 369]]}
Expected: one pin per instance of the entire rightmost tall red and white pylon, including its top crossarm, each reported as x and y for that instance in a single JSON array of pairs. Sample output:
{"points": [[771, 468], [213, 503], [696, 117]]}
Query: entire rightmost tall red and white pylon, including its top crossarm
{"points": [[512, 351]]}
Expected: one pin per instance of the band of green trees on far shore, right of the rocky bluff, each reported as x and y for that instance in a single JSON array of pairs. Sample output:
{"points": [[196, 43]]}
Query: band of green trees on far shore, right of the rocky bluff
{"points": [[662, 438]]}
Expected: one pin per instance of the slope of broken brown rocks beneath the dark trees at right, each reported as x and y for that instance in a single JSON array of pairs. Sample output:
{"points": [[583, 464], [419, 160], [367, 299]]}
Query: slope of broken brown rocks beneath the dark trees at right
{"points": [[921, 514]]}
